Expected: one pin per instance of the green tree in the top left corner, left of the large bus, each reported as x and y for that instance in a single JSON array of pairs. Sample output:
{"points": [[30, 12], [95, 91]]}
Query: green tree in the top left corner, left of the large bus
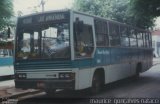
{"points": [[6, 12]]}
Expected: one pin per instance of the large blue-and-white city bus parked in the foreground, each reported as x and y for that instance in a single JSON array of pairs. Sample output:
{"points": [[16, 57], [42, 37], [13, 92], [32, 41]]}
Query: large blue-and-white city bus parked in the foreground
{"points": [[66, 49]]}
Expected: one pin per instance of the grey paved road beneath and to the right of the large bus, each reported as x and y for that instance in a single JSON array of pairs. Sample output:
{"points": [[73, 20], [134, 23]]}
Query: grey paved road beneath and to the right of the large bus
{"points": [[147, 86]]}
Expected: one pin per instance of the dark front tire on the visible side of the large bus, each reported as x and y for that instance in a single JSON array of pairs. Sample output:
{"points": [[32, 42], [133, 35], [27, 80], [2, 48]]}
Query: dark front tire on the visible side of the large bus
{"points": [[96, 84]]}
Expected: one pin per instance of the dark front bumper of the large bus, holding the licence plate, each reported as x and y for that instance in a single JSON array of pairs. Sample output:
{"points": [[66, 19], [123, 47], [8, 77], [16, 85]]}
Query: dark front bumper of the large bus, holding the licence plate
{"points": [[45, 84]]}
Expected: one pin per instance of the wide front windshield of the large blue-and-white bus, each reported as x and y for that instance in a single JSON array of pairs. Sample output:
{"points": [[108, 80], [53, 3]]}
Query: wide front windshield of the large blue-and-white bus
{"points": [[43, 41]]}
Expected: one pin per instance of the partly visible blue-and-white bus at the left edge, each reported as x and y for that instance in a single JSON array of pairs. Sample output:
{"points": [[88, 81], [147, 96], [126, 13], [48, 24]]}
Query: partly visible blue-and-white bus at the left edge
{"points": [[6, 60]]}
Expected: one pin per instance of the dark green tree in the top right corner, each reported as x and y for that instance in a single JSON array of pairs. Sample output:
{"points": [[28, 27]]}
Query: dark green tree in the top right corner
{"points": [[145, 12]]}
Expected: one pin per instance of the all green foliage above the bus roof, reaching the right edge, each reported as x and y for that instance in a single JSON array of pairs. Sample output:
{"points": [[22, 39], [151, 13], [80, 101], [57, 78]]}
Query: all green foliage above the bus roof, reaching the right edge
{"points": [[140, 13]]}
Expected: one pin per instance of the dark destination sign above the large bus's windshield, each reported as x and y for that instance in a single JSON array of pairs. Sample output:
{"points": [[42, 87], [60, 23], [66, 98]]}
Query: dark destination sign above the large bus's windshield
{"points": [[42, 18]]}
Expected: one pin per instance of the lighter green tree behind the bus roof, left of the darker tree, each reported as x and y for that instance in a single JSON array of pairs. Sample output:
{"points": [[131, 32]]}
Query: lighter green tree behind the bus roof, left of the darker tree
{"points": [[111, 9]]}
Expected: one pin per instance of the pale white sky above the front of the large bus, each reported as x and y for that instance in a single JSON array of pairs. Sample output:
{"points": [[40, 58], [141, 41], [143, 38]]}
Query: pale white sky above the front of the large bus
{"points": [[27, 6]]}
